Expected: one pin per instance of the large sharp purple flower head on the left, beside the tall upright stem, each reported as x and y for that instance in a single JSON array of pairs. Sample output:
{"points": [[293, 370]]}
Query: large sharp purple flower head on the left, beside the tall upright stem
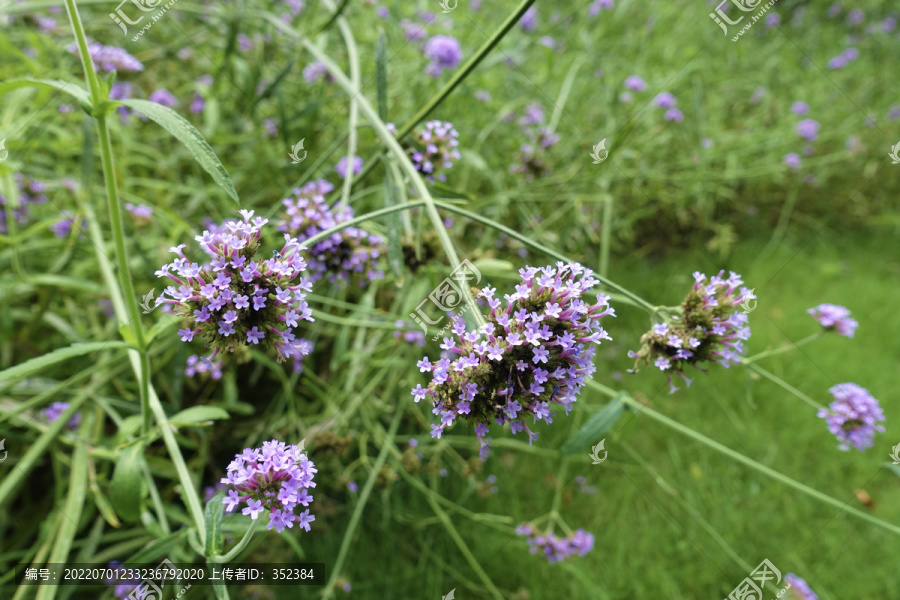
{"points": [[237, 299]]}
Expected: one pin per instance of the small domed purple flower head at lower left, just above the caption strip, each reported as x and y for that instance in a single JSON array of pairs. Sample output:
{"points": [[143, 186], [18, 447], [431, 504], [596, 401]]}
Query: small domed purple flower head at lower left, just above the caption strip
{"points": [[275, 478]]}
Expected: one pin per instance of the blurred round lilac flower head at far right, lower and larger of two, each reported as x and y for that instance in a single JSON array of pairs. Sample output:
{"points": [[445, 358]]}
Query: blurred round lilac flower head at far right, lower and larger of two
{"points": [[853, 417]]}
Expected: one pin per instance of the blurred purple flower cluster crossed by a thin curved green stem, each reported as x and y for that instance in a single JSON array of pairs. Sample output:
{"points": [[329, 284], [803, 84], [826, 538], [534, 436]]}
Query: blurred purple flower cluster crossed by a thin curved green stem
{"points": [[348, 253]]}
